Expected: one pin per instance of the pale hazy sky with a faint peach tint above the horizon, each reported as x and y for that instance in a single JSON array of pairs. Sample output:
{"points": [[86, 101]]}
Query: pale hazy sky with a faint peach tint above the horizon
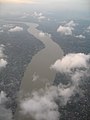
{"points": [[16, 6]]}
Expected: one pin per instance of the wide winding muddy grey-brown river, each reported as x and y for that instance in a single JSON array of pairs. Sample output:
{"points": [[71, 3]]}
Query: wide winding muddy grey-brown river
{"points": [[38, 73]]}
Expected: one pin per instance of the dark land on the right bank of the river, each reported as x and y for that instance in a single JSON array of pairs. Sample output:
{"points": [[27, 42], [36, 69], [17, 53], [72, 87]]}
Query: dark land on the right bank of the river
{"points": [[79, 107]]}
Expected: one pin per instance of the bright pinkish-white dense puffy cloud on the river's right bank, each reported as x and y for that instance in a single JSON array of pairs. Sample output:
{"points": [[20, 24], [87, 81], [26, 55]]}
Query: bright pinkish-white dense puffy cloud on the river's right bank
{"points": [[70, 62]]}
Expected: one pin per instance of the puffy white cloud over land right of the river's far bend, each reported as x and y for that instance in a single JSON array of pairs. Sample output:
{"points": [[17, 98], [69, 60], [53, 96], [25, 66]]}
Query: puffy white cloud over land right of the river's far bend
{"points": [[67, 29]]}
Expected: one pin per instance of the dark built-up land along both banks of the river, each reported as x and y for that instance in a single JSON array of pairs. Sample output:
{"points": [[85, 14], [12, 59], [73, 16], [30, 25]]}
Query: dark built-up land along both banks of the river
{"points": [[21, 47]]}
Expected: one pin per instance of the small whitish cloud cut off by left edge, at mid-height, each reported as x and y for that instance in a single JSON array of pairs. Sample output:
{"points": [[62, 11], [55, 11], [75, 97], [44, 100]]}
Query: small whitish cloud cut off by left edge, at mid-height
{"points": [[3, 62]]}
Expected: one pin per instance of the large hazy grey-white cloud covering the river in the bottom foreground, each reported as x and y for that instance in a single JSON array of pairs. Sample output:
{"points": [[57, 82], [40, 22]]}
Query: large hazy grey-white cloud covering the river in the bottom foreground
{"points": [[42, 104]]}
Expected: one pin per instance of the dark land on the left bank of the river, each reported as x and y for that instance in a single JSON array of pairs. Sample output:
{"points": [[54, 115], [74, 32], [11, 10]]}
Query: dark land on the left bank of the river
{"points": [[20, 47]]}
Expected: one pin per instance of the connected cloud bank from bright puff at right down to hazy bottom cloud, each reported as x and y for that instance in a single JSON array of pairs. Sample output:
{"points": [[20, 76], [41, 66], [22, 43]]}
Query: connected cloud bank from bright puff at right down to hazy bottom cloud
{"points": [[42, 104]]}
